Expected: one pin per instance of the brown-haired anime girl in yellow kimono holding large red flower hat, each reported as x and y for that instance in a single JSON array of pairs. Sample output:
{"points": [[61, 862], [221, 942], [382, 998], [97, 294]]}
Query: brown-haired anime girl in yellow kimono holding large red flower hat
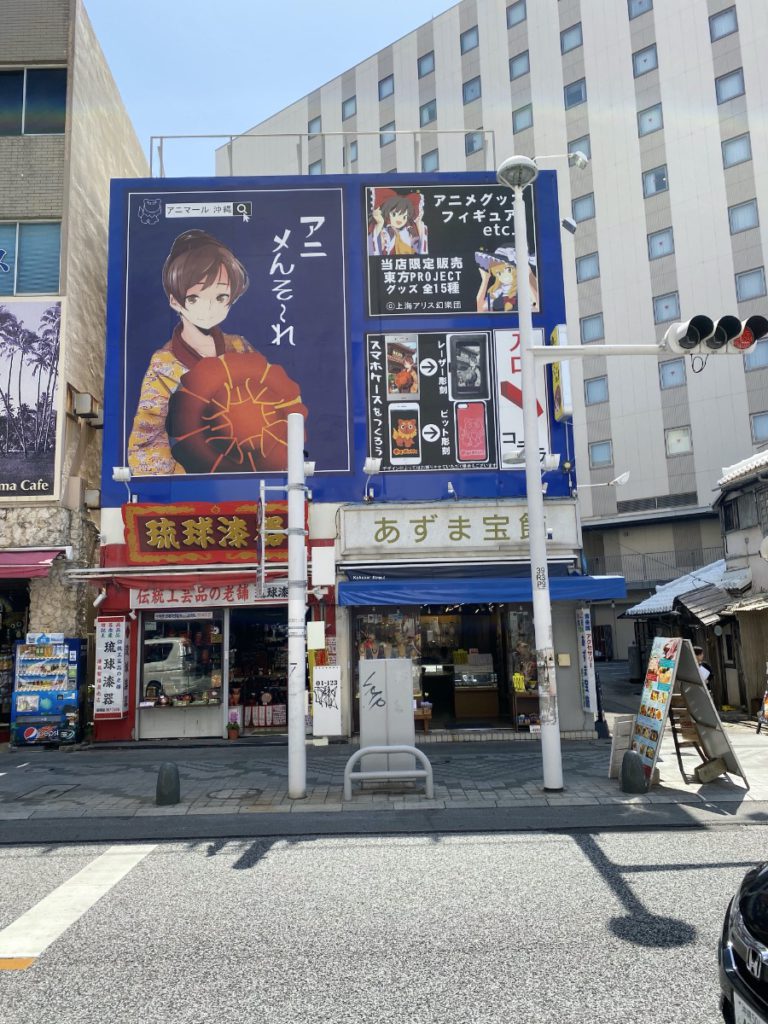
{"points": [[209, 402]]}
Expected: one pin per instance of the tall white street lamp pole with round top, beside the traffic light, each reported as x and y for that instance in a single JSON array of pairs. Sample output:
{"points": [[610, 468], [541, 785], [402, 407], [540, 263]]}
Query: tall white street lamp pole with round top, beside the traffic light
{"points": [[517, 174]]}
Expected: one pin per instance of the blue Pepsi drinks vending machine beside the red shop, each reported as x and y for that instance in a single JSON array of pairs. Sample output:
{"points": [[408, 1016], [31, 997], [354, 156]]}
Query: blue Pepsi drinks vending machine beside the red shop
{"points": [[50, 678]]}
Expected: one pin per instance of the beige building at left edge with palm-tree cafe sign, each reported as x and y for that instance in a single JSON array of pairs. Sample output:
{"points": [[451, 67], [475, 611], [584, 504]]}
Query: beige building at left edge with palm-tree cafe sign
{"points": [[65, 134]]}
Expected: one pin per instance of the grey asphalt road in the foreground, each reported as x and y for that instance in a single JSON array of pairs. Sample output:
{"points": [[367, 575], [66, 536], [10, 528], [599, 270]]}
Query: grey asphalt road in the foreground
{"points": [[613, 927]]}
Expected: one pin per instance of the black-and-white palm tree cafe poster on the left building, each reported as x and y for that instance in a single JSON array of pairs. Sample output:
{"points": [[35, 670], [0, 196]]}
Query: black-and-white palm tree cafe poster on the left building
{"points": [[30, 342]]}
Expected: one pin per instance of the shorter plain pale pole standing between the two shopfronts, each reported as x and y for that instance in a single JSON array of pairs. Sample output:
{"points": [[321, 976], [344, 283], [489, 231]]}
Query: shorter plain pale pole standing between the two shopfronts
{"points": [[296, 609]]}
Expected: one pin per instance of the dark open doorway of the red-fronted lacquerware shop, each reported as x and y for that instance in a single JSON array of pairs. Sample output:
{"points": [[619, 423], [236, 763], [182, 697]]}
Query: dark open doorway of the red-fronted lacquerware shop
{"points": [[259, 669]]}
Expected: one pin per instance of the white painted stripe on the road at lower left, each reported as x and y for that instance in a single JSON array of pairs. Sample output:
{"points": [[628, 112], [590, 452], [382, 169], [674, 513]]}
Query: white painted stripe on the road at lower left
{"points": [[30, 935]]}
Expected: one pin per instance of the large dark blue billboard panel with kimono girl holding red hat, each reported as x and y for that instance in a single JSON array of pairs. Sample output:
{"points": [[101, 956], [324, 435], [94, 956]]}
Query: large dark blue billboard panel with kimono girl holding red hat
{"points": [[235, 319]]}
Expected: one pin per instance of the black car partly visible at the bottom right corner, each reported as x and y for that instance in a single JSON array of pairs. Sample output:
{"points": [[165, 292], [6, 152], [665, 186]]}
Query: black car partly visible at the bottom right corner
{"points": [[744, 952]]}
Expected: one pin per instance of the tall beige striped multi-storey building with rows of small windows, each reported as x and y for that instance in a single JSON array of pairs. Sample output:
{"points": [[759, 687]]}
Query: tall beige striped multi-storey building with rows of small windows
{"points": [[668, 217]]}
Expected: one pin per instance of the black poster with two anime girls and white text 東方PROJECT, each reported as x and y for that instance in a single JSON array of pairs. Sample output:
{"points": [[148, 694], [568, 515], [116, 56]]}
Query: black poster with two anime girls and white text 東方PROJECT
{"points": [[446, 249]]}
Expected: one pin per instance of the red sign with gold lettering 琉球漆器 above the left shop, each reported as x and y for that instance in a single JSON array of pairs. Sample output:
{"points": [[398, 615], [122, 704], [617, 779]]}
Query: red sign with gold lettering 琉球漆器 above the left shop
{"points": [[199, 534]]}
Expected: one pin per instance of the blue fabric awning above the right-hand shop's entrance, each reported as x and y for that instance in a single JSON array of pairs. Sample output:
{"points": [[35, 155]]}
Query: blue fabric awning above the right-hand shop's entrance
{"points": [[496, 590]]}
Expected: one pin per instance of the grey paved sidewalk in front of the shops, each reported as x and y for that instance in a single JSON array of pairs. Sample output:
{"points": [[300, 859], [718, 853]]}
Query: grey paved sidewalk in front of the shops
{"points": [[249, 782]]}
